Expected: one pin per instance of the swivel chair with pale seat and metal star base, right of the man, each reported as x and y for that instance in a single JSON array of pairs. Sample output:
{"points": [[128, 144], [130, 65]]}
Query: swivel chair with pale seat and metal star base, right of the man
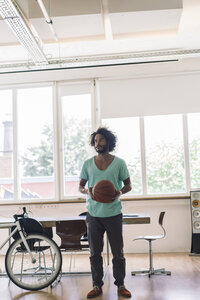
{"points": [[151, 270]]}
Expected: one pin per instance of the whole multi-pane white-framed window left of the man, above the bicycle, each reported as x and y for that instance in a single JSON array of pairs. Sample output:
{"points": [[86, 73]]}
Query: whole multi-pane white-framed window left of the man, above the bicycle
{"points": [[28, 169]]}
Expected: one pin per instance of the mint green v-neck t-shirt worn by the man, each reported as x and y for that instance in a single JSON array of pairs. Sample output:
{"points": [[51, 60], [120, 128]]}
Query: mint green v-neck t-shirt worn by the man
{"points": [[116, 172]]}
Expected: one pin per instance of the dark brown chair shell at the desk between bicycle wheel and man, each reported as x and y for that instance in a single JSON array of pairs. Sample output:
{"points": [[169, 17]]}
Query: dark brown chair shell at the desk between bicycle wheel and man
{"points": [[70, 232]]}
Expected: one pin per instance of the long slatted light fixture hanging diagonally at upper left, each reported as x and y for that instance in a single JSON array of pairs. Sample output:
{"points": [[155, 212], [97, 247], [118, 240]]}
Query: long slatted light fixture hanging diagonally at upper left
{"points": [[17, 23]]}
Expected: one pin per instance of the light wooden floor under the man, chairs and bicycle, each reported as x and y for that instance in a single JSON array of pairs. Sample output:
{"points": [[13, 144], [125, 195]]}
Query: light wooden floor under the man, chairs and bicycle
{"points": [[183, 284]]}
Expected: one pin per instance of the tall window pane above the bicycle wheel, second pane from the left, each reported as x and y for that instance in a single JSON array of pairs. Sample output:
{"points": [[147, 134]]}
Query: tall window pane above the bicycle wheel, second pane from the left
{"points": [[35, 134]]}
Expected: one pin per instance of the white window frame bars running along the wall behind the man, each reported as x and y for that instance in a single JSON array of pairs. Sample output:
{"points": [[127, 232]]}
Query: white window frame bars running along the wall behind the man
{"points": [[58, 149]]}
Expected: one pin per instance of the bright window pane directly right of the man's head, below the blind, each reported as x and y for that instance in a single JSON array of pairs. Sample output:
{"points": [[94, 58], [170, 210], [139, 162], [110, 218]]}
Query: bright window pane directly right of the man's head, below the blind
{"points": [[128, 147]]}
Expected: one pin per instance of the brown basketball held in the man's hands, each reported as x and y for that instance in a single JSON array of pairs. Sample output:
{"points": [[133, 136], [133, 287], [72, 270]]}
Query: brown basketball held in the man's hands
{"points": [[104, 191]]}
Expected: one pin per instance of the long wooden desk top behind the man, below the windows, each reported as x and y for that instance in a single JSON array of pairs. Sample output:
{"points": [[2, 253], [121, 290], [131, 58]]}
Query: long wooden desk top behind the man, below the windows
{"points": [[51, 221]]}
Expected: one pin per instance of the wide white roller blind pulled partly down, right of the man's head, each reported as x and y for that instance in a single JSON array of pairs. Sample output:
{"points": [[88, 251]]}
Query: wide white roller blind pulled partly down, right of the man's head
{"points": [[150, 96]]}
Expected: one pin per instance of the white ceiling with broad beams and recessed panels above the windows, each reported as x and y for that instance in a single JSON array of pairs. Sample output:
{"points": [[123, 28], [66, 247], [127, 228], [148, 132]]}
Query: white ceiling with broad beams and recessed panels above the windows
{"points": [[99, 32]]}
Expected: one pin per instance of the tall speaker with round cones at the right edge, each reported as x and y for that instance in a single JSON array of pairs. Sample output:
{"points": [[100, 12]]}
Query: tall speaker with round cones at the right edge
{"points": [[195, 219]]}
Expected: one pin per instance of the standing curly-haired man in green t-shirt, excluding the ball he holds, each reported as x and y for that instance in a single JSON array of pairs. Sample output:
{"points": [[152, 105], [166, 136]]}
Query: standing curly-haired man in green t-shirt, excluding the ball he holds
{"points": [[105, 217]]}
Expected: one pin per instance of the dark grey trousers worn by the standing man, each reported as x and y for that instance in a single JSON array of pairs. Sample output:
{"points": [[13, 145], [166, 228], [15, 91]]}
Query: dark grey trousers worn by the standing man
{"points": [[96, 229]]}
